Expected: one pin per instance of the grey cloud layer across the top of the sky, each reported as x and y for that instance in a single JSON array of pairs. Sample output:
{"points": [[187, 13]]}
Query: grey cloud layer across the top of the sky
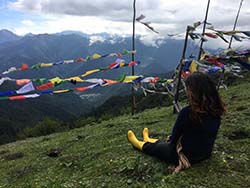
{"points": [[180, 12]]}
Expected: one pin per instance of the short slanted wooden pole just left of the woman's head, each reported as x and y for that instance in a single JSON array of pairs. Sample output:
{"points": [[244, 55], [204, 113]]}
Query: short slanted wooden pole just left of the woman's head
{"points": [[177, 107]]}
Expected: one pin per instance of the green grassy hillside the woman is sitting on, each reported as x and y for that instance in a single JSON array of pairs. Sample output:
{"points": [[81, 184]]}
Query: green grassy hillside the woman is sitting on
{"points": [[99, 155]]}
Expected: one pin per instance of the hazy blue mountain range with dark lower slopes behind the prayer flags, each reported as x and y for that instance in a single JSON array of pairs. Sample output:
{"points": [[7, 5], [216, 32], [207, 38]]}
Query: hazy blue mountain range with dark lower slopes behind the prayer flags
{"points": [[159, 58]]}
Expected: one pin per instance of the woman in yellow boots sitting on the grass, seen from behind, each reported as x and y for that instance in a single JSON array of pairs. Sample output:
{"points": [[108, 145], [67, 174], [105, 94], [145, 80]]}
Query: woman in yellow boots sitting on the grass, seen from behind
{"points": [[195, 129]]}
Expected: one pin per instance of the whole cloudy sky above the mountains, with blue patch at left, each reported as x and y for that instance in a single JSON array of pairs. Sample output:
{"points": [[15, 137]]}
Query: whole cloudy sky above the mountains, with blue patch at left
{"points": [[115, 16]]}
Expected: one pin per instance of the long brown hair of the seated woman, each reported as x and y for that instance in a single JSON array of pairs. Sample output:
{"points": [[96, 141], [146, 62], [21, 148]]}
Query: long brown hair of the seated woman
{"points": [[203, 97]]}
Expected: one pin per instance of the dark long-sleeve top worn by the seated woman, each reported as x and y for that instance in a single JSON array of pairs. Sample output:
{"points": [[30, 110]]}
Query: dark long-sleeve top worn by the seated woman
{"points": [[197, 139]]}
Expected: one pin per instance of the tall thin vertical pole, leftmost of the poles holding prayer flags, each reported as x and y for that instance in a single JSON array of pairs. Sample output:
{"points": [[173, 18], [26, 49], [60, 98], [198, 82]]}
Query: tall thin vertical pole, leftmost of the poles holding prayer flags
{"points": [[133, 59]]}
